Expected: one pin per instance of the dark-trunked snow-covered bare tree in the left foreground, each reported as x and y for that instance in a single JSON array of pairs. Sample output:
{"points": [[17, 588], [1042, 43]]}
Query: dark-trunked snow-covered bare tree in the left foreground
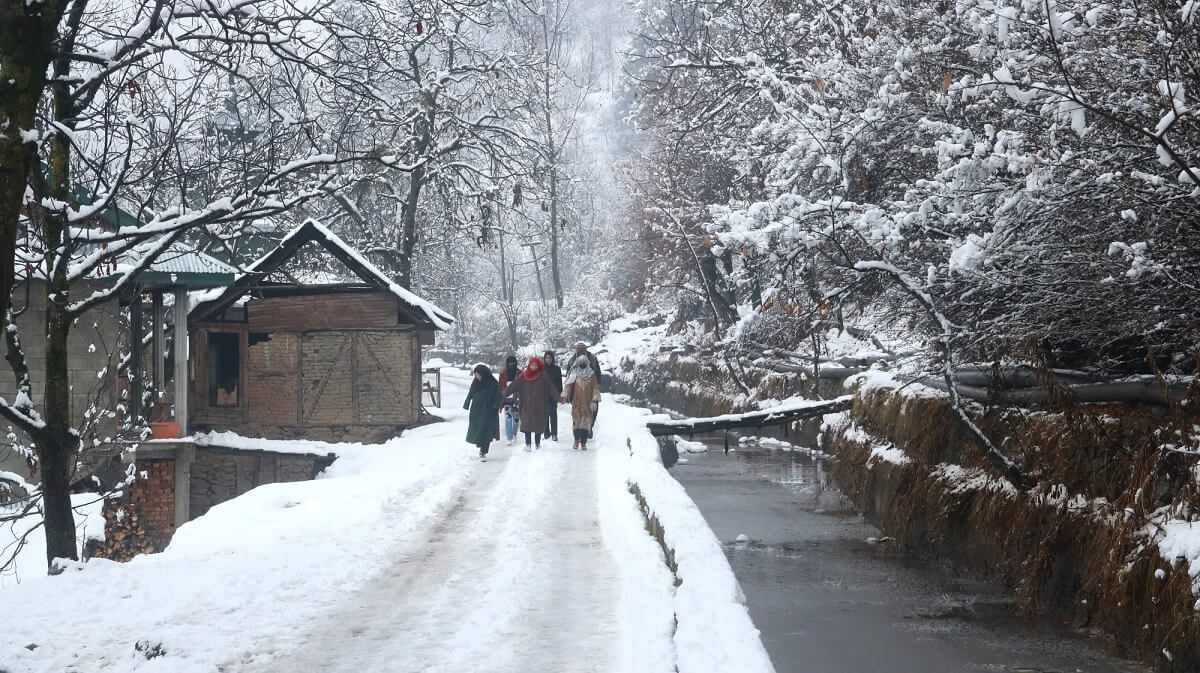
{"points": [[194, 119]]}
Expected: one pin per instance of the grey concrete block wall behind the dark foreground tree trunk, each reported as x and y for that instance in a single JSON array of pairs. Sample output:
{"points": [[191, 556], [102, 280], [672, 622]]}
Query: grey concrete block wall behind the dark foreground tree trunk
{"points": [[94, 345]]}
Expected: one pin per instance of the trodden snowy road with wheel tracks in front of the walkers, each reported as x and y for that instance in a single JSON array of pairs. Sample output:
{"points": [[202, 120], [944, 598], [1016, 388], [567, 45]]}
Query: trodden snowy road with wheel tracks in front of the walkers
{"points": [[512, 578]]}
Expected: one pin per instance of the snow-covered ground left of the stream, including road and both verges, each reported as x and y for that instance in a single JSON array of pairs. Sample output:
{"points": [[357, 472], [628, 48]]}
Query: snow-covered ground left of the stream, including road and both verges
{"points": [[411, 556]]}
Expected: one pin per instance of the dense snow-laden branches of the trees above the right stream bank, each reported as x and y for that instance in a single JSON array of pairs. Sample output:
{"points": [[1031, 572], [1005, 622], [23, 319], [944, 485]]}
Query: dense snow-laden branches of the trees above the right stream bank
{"points": [[1031, 165]]}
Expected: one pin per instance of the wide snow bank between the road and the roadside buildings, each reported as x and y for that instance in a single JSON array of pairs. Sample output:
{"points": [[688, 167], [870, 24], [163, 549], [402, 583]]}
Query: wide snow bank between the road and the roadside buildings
{"points": [[236, 585]]}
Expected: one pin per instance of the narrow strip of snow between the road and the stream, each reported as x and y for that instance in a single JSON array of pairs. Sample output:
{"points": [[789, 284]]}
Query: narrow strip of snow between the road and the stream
{"points": [[715, 630]]}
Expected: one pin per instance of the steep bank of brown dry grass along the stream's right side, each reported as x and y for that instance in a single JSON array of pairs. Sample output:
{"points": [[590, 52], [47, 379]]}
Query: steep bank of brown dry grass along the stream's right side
{"points": [[1078, 546]]}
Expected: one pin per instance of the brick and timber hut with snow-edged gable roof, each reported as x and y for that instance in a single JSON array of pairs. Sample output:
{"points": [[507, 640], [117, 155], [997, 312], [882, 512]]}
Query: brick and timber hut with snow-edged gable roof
{"points": [[277, 358]]}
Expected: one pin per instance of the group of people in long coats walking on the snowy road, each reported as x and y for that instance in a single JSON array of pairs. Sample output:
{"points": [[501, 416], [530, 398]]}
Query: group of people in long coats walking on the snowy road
{"points": [[529, 400]]}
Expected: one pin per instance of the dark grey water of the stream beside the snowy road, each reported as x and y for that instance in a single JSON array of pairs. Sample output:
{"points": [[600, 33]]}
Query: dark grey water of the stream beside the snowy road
{"points": [[830, 602]]}
